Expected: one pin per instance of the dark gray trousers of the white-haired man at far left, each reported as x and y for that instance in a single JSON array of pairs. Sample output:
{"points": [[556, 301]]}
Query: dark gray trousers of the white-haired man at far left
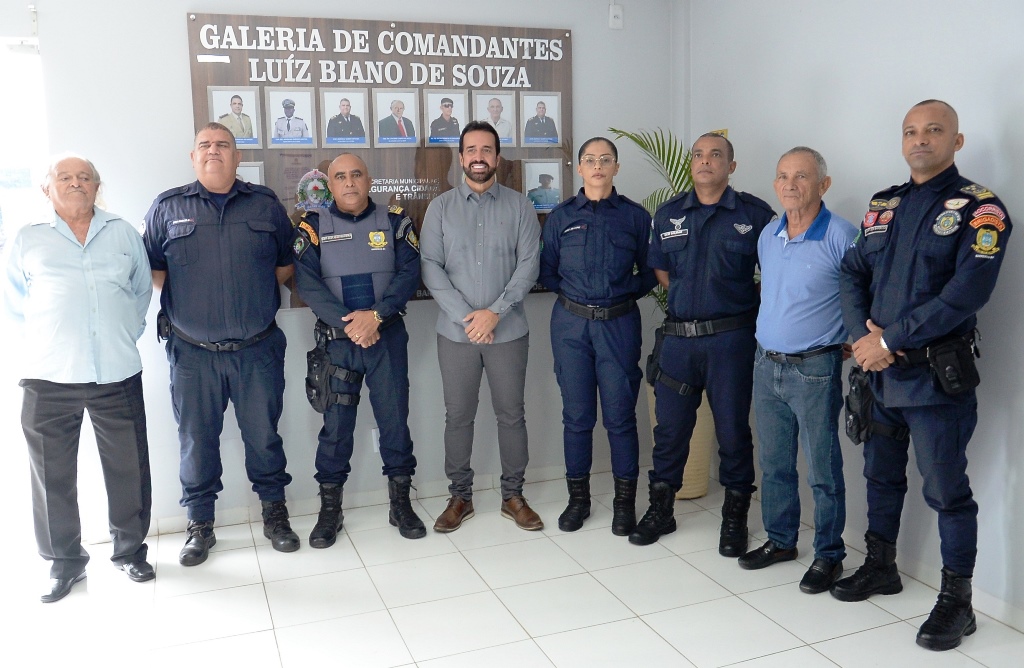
{"points": [[52, 420]]}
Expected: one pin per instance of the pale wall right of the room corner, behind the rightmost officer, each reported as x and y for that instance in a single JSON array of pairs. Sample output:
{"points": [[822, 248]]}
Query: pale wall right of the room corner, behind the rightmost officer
{"points": [[840, 77]]}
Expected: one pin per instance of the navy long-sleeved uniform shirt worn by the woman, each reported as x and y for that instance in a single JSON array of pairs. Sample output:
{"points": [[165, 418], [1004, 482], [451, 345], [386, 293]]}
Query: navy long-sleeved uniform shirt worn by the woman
{"points": [[590, 249]]}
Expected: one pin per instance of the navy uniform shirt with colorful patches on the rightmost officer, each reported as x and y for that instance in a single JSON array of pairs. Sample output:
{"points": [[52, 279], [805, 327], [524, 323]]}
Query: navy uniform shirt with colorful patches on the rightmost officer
{"points": [[925, 263]]}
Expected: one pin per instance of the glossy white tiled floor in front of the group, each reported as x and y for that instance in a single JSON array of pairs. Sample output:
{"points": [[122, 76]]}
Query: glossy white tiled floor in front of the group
{"points": [[489, 596]]}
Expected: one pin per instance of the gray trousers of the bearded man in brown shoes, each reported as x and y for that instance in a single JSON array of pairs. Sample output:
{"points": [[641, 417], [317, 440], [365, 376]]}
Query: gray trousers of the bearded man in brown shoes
{"points": [[462, 366]]}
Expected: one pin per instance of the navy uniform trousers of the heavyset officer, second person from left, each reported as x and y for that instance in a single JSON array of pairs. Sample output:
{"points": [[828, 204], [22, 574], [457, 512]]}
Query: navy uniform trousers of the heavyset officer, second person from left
{"points": [[202, 384]]}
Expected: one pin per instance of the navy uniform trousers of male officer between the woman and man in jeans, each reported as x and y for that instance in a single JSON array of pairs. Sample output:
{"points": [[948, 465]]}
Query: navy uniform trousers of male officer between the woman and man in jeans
{"points": [[722, 365]]}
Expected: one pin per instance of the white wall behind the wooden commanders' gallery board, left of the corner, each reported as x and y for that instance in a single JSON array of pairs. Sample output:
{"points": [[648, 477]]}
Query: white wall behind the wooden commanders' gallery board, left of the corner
{"points": [[119, 92]]}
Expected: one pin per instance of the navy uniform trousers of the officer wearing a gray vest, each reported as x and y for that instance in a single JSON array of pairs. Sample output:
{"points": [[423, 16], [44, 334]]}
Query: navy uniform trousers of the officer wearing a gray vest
{"points": [[386, 366]]}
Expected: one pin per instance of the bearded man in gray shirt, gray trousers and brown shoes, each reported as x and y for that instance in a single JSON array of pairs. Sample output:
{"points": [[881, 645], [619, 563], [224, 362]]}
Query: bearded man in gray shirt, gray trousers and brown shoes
{"points": [[481, 257]]}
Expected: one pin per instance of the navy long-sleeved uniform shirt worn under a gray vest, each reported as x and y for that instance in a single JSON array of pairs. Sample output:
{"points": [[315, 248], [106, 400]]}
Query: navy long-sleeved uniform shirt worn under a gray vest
{"points": [[308, 266]]}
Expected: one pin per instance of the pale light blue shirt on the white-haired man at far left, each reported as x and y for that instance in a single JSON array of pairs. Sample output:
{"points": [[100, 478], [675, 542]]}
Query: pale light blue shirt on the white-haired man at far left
{"points": [[83, 306]]}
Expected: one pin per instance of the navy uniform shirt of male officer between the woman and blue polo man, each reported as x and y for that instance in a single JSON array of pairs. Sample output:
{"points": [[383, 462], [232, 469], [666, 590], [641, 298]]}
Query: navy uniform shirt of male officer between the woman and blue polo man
{"points": [[710, 254]]}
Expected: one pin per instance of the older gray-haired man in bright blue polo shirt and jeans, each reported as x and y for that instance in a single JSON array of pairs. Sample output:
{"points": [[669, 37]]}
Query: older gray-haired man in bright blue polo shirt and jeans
{"points": [[798, 383]]}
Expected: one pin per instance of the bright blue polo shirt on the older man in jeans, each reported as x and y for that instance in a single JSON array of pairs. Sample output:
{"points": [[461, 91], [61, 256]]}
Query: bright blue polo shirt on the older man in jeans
{"points": [[800, 304]]}
